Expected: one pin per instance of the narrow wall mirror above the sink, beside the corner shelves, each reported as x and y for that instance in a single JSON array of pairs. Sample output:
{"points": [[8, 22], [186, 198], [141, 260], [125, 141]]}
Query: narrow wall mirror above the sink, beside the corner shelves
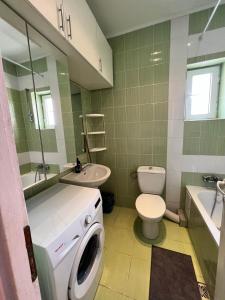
{"points": [[77, 108]]}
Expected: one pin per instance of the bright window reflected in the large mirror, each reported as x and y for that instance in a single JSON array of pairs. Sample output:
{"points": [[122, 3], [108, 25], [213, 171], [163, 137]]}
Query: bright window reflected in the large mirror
{"points": [[44, 110]]}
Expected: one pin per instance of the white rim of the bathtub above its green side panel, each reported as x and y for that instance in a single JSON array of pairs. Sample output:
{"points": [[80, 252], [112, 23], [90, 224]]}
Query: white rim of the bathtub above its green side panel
{"points": [[193, 192]]}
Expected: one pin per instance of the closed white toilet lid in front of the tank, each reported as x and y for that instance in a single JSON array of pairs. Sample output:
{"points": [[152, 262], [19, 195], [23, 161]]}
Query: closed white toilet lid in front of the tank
{"points": [[150, 206]]}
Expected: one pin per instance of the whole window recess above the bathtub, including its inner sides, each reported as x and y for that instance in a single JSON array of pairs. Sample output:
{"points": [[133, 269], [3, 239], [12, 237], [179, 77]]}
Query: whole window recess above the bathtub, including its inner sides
{"points": [[205, 88]]}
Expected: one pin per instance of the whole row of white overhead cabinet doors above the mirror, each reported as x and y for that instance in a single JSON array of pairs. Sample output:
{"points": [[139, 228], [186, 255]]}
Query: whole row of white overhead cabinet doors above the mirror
{"points": [[74, 19]]}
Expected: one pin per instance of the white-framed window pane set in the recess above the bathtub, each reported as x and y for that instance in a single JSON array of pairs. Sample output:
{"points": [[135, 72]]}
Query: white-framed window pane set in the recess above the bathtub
{"points": [[202, 93]]}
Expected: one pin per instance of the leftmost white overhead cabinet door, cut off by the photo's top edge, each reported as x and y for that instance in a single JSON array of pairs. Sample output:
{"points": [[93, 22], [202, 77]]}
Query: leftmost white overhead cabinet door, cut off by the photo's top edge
{"points": [[52, 10]]}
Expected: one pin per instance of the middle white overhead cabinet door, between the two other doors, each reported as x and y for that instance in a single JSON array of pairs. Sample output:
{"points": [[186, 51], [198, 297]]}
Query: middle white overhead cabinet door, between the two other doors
{"points": [[82, 29]]}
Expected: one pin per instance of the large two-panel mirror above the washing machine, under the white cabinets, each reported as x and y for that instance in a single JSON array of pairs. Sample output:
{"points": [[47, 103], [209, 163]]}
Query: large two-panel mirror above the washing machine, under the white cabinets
{"points": [[31, 67]]}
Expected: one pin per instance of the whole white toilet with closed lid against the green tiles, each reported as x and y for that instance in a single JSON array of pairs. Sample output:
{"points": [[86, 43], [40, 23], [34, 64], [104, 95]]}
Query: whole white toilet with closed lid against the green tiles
{"points": [[150, 205]]}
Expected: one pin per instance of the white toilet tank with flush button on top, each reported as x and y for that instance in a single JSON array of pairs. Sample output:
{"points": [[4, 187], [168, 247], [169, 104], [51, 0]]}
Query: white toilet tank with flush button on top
{"points": [[151, 180]]}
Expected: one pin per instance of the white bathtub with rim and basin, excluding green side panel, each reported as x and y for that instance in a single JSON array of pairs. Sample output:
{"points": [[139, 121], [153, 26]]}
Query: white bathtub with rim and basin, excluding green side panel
{"points": [[204, 199]]}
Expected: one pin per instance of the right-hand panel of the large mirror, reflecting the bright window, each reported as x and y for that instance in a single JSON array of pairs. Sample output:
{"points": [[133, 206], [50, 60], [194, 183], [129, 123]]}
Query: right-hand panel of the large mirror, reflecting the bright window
{"points": [[49, 100]]}
